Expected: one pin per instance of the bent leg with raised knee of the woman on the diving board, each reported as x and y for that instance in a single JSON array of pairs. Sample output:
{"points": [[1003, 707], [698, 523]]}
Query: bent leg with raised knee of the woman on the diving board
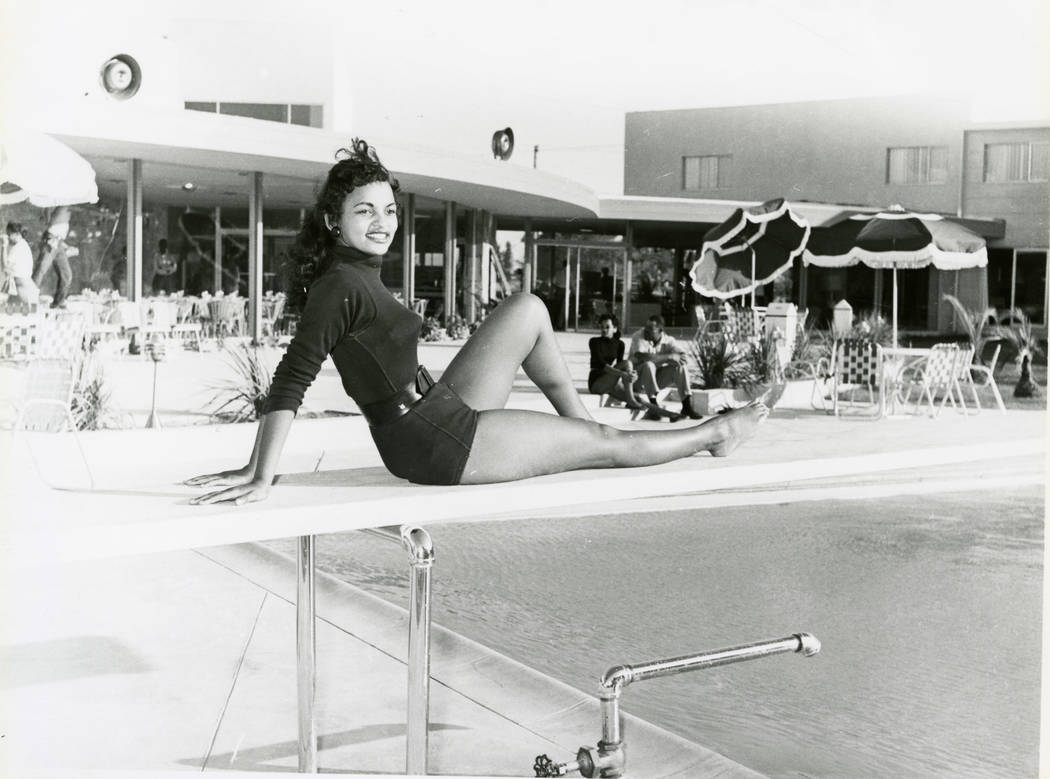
{"points": [[517, 334]]}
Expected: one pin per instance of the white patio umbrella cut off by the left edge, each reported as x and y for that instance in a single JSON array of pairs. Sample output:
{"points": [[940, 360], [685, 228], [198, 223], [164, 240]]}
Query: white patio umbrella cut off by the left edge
{"points": [[45, 172]]}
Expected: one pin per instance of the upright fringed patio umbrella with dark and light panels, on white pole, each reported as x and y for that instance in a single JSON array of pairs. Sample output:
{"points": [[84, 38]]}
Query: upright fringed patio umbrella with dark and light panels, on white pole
{"points": [[896, 239]]}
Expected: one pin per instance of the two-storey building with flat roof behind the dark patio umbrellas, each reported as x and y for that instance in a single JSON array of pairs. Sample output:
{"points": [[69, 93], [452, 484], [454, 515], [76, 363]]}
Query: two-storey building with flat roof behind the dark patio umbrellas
{"points": [[919, 152]]}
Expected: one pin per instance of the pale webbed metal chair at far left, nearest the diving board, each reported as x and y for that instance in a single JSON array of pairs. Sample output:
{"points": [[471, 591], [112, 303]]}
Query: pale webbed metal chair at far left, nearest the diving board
{"points": [[51, 382]]}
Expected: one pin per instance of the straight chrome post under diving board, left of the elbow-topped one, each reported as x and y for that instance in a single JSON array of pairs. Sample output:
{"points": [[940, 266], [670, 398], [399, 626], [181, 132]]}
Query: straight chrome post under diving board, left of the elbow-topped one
{"points": [[305, 652]]}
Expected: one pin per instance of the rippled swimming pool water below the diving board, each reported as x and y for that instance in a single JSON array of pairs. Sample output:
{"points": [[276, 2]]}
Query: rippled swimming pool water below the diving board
{"points": [[929, 608]]}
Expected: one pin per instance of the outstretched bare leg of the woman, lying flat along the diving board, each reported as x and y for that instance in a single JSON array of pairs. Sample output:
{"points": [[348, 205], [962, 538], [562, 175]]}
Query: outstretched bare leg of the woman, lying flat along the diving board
{"points": [[513, 445]]}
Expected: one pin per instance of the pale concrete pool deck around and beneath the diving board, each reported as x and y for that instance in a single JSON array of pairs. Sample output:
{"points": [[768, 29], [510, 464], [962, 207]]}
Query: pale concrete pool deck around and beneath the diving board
{"points": [[183, 661]]}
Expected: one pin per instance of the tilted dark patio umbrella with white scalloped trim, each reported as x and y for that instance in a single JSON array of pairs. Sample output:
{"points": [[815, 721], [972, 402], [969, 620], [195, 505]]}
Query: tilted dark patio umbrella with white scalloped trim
{"points": [[750, 249]]}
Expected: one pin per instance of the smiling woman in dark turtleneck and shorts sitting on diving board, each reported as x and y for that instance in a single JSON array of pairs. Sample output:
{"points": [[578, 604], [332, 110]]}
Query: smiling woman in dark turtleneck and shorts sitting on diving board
{"points": [[457, 431]]}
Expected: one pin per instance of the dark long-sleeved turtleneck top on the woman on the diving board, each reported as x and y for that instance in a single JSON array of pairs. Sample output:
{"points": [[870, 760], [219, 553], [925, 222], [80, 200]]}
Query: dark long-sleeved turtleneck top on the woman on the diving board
{"points": [[350, 315]]}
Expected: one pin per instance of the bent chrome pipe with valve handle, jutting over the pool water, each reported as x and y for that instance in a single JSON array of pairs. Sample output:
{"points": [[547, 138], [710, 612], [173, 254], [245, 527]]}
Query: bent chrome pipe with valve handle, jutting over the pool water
{"points": [[608, 759]]}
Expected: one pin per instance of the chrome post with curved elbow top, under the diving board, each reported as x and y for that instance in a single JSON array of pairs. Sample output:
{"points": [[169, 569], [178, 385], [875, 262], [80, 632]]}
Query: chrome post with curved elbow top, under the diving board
{"points": [[417, 542]]}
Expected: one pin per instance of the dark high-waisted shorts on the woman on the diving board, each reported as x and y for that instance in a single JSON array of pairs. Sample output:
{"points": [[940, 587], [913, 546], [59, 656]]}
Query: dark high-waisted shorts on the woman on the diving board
{"points": [[431, 443]]}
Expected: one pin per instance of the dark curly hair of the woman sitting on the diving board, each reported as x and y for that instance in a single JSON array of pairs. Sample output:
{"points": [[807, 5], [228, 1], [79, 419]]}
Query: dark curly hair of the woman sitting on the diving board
{"points": [[311, 255]]}
